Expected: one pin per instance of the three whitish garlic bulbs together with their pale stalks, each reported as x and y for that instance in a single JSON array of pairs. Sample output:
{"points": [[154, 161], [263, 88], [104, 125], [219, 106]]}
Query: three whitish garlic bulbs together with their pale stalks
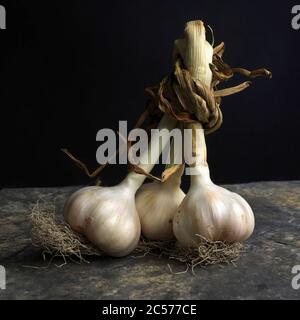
{"points": [[112, 218]]}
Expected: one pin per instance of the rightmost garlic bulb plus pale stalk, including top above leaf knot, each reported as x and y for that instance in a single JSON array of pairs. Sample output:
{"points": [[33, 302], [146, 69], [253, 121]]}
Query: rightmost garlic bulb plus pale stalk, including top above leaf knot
{"points": [[207, 210]]}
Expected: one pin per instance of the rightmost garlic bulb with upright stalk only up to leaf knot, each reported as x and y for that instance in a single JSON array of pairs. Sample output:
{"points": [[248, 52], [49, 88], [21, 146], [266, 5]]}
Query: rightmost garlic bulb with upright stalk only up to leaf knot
{"points": [[208, 210]]}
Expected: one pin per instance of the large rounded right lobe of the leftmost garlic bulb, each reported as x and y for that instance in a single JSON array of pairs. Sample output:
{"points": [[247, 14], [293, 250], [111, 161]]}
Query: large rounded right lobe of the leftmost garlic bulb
{"points": [[113, 225]]}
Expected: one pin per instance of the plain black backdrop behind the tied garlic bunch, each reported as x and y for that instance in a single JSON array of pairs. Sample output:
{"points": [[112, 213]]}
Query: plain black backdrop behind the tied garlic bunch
{"points": [[70, 68]]}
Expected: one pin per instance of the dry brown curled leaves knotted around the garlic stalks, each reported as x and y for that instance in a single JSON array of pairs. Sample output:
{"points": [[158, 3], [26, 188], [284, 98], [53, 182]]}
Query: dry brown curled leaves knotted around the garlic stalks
{"points": [[187, 100]]}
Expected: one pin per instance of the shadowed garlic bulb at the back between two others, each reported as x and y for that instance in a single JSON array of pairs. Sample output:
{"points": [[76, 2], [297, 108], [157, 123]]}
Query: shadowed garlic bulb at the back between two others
{"points": [[157, 203]]}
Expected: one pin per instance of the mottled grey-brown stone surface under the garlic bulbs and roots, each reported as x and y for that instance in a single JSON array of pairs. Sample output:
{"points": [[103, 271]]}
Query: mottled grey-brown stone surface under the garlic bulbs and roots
{"points": [[262, 272]]}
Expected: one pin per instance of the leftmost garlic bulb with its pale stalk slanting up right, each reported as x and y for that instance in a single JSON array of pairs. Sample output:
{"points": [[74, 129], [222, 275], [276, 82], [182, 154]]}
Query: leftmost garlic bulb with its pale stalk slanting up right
{"points": [[107, 216]]}
